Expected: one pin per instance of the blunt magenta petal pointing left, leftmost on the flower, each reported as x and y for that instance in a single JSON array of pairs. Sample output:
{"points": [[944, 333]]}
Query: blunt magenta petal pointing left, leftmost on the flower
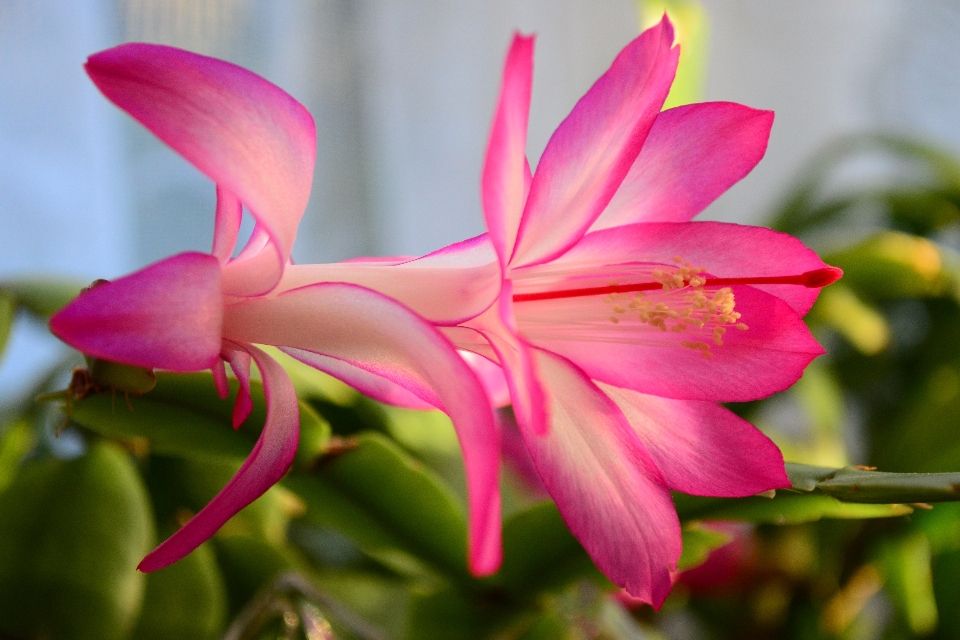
{"points": [[165, 316]]}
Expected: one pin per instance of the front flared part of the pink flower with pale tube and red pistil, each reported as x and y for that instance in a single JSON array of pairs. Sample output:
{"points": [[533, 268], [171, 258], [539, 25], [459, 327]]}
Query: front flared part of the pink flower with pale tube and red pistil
{"points": [[618, 322]]}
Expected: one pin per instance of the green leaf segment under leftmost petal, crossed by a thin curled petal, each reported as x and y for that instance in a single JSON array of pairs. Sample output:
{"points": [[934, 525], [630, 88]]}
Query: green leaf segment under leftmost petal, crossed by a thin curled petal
{"points": [[184, 416]]}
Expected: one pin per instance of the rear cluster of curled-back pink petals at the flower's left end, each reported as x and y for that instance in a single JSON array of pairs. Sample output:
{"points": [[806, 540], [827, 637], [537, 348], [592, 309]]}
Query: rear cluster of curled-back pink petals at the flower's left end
{"points": [[196, 311]]}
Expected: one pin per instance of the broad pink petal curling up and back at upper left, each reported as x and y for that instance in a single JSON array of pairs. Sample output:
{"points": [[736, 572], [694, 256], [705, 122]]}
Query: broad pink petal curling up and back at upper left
{"points": [[248, 135]]}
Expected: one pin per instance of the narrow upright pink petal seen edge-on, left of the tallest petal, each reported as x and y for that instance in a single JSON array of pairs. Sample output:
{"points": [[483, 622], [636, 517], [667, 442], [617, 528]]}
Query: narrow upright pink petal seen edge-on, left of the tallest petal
{"points": [[505, 167]]}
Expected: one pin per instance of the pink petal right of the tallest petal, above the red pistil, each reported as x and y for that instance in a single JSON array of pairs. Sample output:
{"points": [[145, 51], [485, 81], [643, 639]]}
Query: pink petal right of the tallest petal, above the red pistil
{"points": [[693, 154]]}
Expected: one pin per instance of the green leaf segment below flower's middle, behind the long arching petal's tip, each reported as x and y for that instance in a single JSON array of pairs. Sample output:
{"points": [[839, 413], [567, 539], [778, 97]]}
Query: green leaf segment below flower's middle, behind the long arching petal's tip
{"points": [[389, 504]]}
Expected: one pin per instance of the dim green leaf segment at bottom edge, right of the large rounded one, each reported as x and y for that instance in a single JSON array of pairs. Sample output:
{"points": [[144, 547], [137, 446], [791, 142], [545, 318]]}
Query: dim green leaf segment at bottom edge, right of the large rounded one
{"points": [[186, 600]]}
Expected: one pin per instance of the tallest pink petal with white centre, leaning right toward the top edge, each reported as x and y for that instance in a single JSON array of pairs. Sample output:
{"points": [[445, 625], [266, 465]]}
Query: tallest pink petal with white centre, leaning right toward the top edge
{"points": [[591, 151]]}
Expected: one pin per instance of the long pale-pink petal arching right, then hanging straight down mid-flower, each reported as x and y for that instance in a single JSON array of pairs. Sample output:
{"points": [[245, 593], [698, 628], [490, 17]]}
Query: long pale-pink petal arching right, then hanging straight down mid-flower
{"points": [[372, 332]]}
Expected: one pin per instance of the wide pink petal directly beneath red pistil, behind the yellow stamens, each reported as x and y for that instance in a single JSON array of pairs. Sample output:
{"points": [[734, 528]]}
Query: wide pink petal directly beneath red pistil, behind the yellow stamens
{"points": [[611, 342]]}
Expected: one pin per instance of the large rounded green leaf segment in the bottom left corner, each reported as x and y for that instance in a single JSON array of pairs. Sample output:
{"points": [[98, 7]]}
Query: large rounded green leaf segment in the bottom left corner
{"points": [[71, 536]]}
